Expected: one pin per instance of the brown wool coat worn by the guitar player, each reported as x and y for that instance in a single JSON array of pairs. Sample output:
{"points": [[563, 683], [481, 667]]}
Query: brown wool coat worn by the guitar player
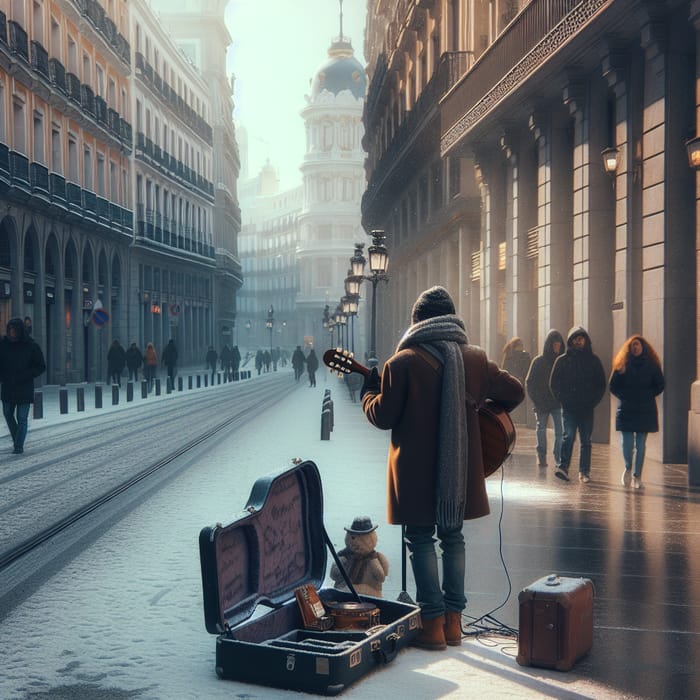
{"points": [[408, 404]]}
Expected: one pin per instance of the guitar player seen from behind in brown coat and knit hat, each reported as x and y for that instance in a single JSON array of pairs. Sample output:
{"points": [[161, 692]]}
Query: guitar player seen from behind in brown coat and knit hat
{"points": [[435, 467]]}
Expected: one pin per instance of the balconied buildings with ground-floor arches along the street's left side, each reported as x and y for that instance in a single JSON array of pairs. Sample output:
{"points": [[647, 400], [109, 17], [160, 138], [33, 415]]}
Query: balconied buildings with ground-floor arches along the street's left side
{"points": [[107, 195]]}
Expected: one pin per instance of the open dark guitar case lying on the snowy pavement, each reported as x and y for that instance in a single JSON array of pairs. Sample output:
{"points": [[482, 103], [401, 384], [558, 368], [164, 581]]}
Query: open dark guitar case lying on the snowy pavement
{"points": [[276, 546]]}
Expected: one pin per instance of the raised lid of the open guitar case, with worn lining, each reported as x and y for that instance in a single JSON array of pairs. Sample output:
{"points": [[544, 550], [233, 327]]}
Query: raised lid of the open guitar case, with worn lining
{"points": [[275, 546]]}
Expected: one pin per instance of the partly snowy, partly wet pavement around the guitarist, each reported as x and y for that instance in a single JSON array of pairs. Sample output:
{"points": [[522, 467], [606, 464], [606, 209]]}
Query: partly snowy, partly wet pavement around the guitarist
{"points": [[124, 618]]}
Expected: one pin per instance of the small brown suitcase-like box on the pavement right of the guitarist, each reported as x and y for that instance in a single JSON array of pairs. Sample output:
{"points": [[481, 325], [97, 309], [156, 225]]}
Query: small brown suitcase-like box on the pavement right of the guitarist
{"points": [[556, 622]]}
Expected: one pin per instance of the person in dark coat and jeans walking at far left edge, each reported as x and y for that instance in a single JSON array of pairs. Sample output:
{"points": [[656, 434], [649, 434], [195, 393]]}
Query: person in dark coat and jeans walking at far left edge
{"points": [[21, 360]]}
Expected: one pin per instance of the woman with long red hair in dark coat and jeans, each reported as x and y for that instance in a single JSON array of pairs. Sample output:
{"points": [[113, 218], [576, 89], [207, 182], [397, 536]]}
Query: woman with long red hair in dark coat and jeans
{"points": [[637, 379]]}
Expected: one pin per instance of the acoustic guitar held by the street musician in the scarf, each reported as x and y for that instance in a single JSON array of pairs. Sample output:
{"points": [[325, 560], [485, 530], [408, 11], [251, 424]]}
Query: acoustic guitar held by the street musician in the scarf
{"points": [[495, 425]]}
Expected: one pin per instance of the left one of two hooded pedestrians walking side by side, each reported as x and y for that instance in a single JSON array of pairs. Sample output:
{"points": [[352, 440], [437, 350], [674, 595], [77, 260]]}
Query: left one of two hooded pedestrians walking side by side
{"points": [[546, 406]]}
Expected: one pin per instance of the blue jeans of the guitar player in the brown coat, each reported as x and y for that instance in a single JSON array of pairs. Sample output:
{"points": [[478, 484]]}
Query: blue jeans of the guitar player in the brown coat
{"points": [[432, 598]]}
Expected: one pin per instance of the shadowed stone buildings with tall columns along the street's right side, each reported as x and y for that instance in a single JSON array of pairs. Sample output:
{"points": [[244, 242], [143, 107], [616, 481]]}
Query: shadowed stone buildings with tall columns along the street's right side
{"points": [[485, 126]]}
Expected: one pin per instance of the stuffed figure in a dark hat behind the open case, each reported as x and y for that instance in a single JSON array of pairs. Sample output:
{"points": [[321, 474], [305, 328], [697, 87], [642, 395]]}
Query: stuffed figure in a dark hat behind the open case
{"points": [[366, 568]]}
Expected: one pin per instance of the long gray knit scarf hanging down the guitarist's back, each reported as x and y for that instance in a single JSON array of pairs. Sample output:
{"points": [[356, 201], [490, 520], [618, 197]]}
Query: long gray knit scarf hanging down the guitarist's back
{"points": [[442, 336]]}
